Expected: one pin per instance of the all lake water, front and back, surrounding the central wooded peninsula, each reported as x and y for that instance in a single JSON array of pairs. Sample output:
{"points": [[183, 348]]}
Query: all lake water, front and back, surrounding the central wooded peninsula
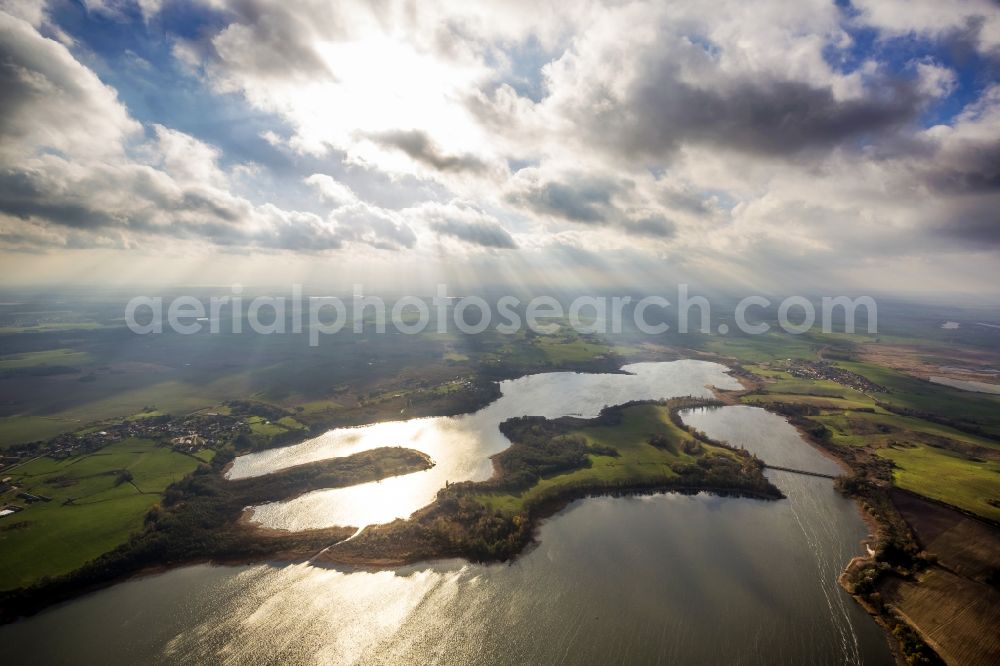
{"points": [[655, 579]]}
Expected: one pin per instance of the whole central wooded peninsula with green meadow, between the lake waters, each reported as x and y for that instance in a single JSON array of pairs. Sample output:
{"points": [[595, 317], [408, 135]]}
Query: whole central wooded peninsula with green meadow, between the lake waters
{"points": [[638, 447]]}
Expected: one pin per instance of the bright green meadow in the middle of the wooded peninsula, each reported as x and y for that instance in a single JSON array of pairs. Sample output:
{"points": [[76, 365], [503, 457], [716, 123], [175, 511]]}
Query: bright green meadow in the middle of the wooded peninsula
{"points": [[638, 461]]}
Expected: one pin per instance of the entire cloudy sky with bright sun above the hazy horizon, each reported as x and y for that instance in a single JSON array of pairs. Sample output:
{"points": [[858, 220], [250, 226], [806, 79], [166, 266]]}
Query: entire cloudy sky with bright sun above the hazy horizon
{"points": [[850, 145]]}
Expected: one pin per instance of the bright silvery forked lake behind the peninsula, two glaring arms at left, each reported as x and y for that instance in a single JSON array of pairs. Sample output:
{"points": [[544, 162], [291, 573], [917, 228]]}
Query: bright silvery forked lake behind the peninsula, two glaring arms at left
{"points": [[460, 446]]}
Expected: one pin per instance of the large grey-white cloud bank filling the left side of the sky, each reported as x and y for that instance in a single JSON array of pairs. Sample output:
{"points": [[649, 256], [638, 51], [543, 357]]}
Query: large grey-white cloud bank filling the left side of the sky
{"points": [[76, 170]]}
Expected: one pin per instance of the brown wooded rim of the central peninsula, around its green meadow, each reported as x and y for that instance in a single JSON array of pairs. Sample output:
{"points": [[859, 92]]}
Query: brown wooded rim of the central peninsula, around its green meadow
{"points": [[452, 525]]}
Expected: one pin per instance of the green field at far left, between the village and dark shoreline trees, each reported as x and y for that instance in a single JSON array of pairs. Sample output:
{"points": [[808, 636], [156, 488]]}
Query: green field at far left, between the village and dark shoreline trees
{"points": [[51, 538]]}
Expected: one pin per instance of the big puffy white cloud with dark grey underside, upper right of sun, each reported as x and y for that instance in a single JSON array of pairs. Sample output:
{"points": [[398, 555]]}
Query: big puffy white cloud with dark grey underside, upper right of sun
{"points": [[671, 85]]}
